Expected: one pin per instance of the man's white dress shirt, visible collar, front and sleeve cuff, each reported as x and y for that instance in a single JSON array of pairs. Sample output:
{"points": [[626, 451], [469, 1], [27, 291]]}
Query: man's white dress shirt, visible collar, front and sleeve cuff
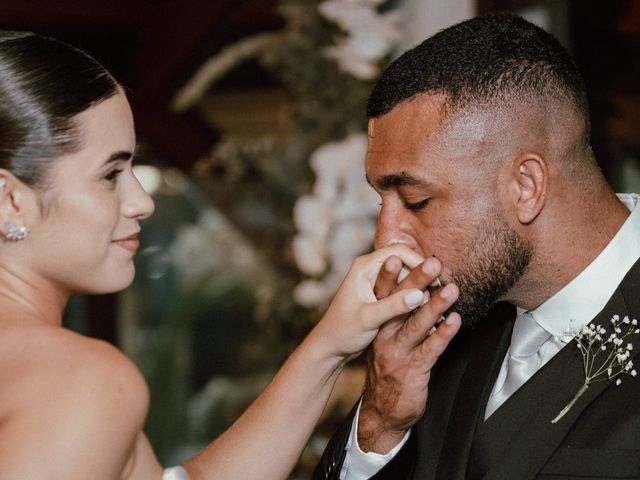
{"points": [[568, 310]]}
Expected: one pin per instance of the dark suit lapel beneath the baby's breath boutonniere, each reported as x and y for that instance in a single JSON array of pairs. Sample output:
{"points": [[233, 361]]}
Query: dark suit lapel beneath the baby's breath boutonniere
{"points": [[543, 397]]}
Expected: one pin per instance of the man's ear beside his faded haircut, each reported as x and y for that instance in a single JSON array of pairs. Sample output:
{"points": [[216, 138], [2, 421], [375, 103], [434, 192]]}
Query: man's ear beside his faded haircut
{"points": [[529, 177]]}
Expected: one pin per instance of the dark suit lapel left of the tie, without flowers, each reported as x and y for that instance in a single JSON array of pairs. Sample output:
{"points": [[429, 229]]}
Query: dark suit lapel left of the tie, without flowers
{"points": [[488, 346]]}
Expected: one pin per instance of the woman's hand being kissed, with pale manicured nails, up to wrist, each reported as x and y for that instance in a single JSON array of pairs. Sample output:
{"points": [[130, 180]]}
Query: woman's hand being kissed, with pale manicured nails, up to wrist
{"points": [[355, 315]]}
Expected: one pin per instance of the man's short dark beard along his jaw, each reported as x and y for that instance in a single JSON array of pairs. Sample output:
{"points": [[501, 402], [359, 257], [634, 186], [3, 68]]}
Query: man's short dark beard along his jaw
{"points": [[494, 262]]}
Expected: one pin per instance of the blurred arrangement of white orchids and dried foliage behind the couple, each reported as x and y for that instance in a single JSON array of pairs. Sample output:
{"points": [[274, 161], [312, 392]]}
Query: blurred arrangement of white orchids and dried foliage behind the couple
{"points": [[316, 211]]}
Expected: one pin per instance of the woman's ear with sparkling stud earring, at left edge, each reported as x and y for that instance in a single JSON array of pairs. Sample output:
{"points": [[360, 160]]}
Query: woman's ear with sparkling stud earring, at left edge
{"points": [[13, 206]]}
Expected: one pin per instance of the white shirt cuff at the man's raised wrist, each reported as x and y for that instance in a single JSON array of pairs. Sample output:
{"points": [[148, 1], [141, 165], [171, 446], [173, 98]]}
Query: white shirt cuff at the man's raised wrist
{"points": [[359, 465]]}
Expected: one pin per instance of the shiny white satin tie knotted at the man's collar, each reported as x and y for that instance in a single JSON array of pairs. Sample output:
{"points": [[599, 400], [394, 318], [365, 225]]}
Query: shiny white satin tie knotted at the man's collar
{"points": [[523, 359]]}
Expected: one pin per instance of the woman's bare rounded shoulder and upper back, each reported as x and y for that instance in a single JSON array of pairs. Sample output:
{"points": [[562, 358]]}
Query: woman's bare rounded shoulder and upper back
{"points": [[65, 396]]}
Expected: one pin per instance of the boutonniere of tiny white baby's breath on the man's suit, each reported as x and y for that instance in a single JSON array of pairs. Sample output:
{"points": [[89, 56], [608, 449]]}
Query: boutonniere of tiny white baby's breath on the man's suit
{"points": [[605, 358]]}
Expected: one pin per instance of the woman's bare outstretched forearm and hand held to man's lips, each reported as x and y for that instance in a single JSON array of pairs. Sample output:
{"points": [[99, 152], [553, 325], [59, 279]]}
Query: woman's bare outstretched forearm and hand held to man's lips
{"points": [[269, 437]]}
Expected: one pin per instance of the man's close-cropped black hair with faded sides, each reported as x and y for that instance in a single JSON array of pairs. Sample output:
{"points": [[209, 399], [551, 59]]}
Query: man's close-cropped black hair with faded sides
{"points": [[495, 57]]}
